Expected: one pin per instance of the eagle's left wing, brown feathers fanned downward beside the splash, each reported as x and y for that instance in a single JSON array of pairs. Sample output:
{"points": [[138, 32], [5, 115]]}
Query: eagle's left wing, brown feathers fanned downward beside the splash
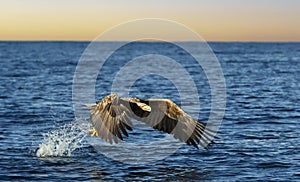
{"points": [[110, 119]]}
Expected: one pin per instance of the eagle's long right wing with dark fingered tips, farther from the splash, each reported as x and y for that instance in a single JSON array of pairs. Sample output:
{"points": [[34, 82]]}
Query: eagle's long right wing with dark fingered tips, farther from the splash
{"points": [[166, 116]]}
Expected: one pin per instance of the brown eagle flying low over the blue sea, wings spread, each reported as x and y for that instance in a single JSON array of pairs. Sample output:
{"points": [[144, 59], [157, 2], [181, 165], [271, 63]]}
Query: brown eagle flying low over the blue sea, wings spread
{"points": [[111, 118]]}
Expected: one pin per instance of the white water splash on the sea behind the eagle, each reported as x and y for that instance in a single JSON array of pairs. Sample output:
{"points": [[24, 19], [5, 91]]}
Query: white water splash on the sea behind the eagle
{"points": [[64, 140]]}
